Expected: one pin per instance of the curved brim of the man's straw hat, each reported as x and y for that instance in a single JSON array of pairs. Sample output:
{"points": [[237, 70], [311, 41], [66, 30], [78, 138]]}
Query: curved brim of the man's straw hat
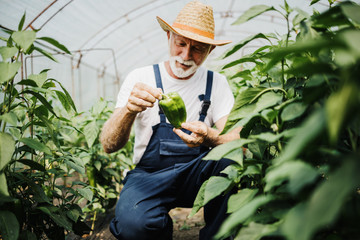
{"points": [[166, 27]]}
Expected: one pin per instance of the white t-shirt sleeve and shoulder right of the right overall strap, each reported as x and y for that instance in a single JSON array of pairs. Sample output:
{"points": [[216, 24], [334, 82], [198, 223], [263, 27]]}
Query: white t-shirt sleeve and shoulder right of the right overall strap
{"points": [[222, 100]]}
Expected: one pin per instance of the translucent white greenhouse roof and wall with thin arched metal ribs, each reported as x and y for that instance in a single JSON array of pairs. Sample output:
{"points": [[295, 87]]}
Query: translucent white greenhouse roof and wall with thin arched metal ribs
{"points": [[109, 38]]}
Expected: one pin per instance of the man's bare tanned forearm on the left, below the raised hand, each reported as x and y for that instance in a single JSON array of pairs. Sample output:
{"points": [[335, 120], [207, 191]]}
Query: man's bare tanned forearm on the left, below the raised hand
{"points": [[116, 130]]}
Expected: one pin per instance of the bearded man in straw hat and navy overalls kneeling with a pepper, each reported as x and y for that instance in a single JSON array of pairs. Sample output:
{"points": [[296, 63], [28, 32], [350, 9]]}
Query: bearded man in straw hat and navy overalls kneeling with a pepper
{"points": [[169, 170]]}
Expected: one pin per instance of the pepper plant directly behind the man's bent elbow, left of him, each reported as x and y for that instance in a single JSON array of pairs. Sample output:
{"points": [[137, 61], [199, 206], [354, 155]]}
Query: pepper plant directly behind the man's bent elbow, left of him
{"points": [[103, 171]]}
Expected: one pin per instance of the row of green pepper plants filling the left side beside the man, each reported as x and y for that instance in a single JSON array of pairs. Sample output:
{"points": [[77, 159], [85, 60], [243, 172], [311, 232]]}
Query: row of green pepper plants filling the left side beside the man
{"points": [[54, 174]]}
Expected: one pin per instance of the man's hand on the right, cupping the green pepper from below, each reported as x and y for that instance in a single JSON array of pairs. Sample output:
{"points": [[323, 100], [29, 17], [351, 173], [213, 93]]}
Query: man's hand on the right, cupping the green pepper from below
{"points": [[198, 136]]}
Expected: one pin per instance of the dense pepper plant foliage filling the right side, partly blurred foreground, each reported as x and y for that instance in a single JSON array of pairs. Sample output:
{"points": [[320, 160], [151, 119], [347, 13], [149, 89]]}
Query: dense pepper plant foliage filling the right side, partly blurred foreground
{"points": [[298, 100]]}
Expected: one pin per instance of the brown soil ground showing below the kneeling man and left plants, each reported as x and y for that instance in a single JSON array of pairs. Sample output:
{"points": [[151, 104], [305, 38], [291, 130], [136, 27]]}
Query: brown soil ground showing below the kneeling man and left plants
{"points": [[184, 228]]}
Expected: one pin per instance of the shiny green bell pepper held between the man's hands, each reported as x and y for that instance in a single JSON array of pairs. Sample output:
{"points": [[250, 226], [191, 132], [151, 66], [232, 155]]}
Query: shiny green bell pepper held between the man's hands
{"points": [[174, 108]]}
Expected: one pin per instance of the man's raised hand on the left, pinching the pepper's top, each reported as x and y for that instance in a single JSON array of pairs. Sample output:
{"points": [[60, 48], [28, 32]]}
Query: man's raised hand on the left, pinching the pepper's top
{"points": [[141, 97]]}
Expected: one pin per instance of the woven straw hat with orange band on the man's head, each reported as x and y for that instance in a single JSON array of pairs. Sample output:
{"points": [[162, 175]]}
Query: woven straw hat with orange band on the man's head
{"points": [[195, 21]]}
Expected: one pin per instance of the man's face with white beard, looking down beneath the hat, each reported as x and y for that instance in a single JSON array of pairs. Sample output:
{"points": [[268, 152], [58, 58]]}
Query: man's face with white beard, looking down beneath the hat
{"points": [[186, 55]]}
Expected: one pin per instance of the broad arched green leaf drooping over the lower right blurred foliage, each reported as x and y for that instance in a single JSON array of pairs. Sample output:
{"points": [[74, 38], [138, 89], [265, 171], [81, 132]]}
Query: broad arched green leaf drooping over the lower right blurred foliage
{"points": [[297, 173]]}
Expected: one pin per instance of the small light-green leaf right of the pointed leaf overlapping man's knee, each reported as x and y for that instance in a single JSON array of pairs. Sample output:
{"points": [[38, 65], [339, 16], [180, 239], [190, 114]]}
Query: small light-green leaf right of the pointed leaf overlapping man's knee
{"points": [[238, 200]]}
